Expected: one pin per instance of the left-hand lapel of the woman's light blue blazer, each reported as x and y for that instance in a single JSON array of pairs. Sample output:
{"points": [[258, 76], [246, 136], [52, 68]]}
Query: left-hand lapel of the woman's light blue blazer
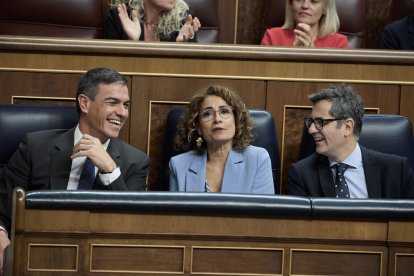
{"points": [[195, 179]]}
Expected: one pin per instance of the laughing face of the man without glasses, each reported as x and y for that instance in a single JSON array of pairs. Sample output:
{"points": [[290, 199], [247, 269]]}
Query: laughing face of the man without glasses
{"points": [[104, 116]]}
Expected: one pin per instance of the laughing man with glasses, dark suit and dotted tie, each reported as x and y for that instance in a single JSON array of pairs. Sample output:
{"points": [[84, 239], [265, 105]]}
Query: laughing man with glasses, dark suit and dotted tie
{"points": [[340, 167]]}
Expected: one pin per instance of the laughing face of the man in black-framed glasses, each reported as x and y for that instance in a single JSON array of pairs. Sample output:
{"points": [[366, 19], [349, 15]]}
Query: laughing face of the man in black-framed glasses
{"points": [[332, 141]]}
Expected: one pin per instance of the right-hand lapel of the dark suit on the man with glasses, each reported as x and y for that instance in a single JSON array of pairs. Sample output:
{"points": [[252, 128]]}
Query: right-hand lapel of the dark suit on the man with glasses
{"points": [[372, 174]]}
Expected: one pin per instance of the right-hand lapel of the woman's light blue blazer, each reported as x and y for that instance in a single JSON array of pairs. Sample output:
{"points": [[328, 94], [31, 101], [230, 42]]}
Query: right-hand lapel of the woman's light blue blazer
{"points": [[233, 172]]}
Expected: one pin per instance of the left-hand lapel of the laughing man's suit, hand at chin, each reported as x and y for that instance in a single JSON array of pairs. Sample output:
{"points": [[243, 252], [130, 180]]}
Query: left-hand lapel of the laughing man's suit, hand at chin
{"points": [[60, 161]]}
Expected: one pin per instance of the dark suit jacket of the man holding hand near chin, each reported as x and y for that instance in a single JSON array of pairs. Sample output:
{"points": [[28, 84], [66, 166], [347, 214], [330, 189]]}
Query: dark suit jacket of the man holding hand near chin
{"points": [[43, 162]]}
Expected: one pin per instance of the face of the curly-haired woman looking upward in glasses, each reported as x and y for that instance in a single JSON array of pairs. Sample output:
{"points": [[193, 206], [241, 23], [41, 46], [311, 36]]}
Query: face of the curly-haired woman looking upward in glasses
{"points": [[216, 131]]}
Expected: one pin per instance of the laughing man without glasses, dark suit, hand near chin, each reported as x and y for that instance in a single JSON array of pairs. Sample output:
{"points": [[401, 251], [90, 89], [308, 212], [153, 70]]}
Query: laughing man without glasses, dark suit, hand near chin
{"points": [[54, 159]]}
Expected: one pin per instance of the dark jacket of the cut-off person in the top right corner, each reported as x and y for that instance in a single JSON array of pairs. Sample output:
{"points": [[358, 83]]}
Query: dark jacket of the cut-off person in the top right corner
{"points": [[399, 35]]}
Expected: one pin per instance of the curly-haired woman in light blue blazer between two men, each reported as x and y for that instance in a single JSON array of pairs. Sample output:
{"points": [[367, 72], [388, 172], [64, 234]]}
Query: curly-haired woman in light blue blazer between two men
{"points": [[217, 129]]}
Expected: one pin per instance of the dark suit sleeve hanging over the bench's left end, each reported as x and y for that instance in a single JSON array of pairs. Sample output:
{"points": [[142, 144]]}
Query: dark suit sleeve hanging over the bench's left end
{"points": [[15, 174]]}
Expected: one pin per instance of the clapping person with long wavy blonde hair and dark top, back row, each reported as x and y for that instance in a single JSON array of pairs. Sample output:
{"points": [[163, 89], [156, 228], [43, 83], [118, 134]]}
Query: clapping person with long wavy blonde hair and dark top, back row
{"points": [[151, 20]]}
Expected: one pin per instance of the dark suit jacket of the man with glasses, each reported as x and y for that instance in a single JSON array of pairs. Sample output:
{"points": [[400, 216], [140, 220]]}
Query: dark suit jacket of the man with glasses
{"points": [[386, 176]]}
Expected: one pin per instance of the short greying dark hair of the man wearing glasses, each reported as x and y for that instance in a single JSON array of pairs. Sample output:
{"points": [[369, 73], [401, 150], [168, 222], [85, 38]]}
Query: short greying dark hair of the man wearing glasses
{"points": [[346, 103]]}
